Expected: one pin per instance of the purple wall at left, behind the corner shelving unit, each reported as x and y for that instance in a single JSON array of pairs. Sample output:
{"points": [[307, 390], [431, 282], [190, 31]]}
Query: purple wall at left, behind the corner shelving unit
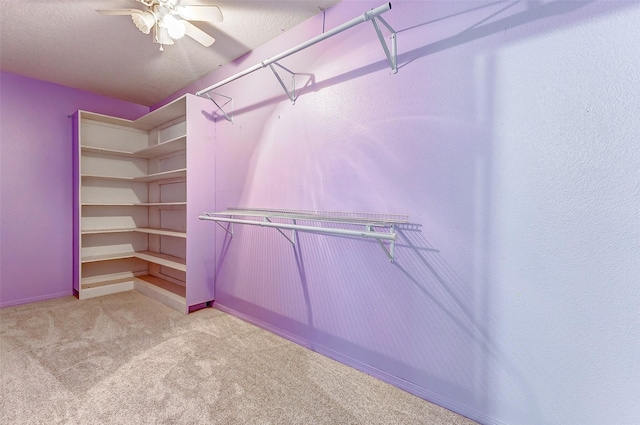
{"points": [[36, 184]]}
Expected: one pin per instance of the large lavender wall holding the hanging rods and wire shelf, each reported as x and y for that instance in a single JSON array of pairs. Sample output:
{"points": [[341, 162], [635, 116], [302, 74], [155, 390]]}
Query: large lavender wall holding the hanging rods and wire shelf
{"points": [[510, 137]]}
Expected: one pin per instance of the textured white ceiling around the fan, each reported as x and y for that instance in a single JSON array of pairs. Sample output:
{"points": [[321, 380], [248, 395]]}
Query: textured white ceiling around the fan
{"points": [[67, 42]]}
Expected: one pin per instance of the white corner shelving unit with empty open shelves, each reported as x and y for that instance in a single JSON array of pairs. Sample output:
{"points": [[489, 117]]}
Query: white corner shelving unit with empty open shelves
{"points": [[132, 189]]}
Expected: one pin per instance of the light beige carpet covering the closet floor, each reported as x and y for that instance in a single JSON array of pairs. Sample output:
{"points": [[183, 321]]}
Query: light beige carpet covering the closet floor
{"points": [[126, 359]]}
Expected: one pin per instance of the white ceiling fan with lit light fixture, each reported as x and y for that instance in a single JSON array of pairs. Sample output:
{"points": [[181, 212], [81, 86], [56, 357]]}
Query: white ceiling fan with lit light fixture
{"points": [[169, 20]]}
